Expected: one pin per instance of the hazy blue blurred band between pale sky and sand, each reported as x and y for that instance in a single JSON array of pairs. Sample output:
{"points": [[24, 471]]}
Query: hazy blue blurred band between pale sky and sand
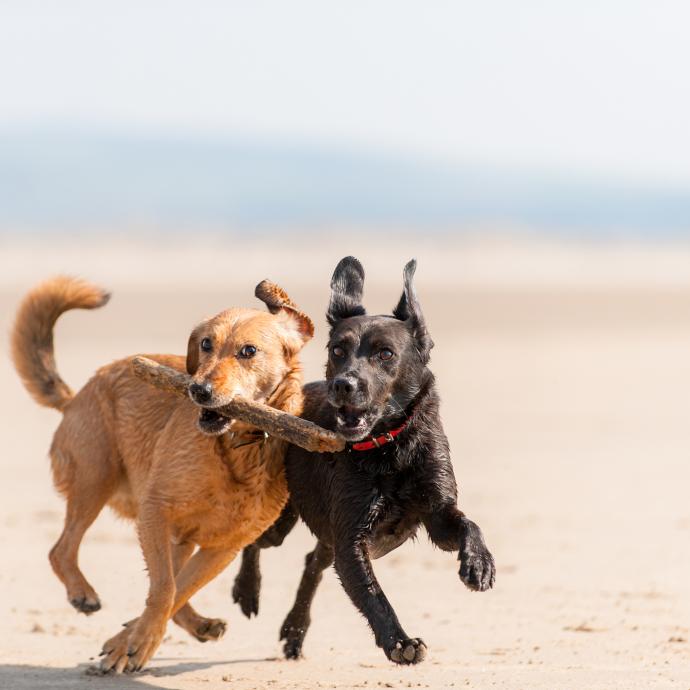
{"points": [[57, 179]]}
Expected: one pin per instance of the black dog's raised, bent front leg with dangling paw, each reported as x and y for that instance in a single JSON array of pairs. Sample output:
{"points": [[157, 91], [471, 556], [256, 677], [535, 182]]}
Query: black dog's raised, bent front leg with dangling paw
{"points": [[450, 530]]}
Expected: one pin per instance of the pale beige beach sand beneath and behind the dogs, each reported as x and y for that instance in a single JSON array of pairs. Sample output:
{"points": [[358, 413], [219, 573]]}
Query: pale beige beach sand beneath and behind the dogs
{"points": [[565, 377]]}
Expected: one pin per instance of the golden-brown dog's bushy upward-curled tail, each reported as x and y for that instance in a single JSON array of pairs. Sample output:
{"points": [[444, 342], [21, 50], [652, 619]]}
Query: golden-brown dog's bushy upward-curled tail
{"points": [[32, 336]]}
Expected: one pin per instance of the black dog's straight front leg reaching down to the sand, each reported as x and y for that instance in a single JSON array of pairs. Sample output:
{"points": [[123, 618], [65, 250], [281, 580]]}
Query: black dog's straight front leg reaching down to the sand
{"points": [[355, 572]]}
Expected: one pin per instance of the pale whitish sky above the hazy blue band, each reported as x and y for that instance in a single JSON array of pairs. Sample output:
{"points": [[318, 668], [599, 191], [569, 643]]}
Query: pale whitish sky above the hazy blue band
{"points": [[594, 87]]}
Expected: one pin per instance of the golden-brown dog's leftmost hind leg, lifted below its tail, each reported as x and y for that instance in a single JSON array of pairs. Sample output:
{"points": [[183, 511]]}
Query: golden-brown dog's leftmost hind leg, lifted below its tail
{"points": [[83, 507]]}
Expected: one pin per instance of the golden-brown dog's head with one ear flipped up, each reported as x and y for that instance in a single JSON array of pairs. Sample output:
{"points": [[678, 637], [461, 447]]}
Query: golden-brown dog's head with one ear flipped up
{"points": [[244, 352]]}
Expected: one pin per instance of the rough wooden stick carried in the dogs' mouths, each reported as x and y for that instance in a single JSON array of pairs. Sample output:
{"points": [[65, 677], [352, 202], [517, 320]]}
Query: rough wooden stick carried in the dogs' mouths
{"points": [[293, 429]]}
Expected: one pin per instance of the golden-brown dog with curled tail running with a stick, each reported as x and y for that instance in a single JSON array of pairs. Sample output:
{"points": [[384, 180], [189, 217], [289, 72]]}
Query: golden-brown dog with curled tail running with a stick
{"points": [[160, 460]]}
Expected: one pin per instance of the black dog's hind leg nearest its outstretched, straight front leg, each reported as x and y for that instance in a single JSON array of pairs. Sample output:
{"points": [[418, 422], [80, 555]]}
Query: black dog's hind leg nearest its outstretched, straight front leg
{"points": [[297, 622]]}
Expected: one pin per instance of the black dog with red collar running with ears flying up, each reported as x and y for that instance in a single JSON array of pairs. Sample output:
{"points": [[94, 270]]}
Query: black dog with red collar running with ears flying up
{"points": [[365, 501]]}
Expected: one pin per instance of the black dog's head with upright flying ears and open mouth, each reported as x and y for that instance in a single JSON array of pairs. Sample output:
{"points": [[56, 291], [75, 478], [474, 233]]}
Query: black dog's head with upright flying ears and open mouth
{"points": [[376, 364]]}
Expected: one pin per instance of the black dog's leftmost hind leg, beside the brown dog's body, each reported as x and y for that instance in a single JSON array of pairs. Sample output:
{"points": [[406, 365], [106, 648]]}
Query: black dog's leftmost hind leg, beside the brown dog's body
{"points": [[247, 587]]}
